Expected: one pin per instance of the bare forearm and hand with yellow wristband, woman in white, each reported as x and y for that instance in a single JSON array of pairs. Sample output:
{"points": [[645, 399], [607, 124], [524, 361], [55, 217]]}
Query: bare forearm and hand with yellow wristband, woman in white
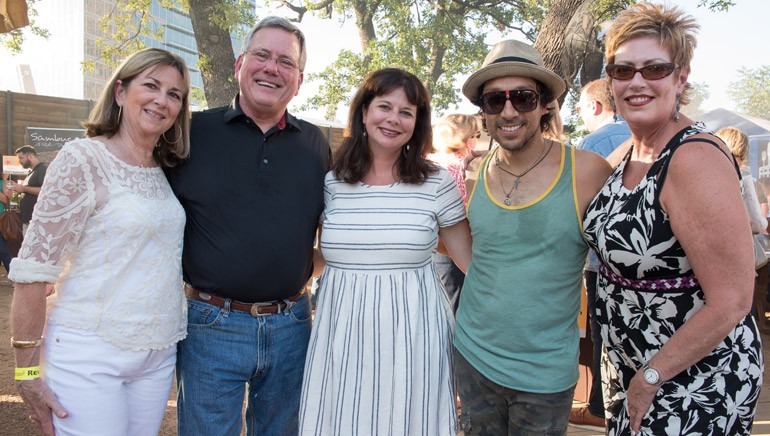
{"points": [[27, 320]]}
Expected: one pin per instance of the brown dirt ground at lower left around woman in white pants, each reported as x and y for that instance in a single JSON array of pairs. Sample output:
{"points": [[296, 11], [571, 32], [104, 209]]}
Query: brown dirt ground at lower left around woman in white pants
{"points": [[13, 413]]}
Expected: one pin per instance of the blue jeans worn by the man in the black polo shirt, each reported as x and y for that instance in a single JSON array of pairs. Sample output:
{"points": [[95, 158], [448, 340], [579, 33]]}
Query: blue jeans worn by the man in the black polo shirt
{"points": [[224, 352]]}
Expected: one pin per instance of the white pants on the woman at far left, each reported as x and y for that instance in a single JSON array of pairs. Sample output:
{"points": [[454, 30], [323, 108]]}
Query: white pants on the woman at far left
{"points": [[106, 390]]}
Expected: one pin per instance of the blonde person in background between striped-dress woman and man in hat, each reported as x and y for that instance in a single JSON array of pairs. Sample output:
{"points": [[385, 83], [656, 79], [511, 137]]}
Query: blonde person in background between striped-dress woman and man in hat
{"points": [[454, 138]]}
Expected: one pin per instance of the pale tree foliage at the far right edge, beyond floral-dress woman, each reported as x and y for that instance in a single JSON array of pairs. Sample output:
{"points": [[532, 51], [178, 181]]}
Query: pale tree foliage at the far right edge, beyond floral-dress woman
{"points": [[751, 92]]}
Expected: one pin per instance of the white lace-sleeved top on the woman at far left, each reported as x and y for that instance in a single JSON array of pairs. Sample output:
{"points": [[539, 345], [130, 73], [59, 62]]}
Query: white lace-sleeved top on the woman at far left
{"points": [[110, 235]]}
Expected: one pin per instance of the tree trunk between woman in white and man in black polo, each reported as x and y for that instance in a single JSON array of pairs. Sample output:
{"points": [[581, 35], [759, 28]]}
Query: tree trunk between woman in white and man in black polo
{"points": [[217, 63]]}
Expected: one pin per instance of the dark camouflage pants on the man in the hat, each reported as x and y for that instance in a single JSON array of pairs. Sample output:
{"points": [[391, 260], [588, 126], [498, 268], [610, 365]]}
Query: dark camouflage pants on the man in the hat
{"points": [[494, 410]]}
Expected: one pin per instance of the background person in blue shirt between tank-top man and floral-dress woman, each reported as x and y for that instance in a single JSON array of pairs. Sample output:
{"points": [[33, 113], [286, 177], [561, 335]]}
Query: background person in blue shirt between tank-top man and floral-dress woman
{"points": [[607, 132]]}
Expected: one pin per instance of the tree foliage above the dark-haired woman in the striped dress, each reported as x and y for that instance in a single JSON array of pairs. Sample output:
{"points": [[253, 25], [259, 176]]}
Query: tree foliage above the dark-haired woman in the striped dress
{"points": [[437, 40]]}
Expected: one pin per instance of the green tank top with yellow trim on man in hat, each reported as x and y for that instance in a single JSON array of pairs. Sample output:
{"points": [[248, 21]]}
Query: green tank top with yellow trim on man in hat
{"points": [[517, 320]]}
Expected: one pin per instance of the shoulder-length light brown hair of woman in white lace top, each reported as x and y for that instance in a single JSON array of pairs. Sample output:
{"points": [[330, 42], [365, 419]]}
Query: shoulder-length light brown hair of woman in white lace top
{"points": [[105, 116]]}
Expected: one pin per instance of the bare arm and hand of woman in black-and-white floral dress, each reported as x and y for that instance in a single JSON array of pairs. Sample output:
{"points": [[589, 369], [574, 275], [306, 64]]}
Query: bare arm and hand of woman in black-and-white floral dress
{"points": [[709, 219]]}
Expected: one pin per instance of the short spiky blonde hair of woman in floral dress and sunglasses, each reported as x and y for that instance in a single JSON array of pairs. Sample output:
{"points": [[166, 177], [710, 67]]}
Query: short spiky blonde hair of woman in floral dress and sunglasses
{"points": [[674, 30]]}
